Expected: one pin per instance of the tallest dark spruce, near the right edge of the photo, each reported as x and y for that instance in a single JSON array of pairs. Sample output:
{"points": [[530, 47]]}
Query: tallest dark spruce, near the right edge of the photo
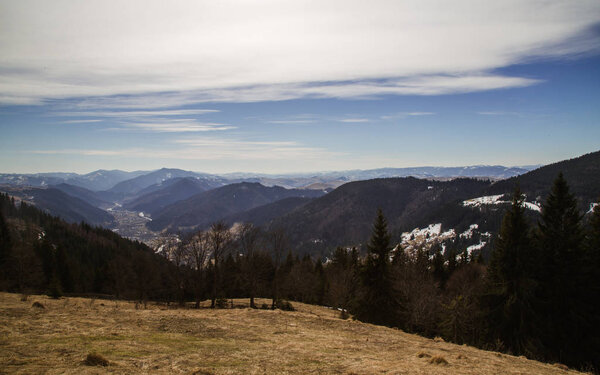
{"points": [[562, 290]]}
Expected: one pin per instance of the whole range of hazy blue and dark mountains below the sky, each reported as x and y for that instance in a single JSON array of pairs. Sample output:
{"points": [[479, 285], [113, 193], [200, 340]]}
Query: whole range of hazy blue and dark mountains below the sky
{"points": [[318, 211]]}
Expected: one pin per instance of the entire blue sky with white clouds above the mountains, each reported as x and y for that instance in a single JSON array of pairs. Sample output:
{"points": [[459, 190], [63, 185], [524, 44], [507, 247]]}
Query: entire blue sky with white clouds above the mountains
{"points": [[296, 86]]}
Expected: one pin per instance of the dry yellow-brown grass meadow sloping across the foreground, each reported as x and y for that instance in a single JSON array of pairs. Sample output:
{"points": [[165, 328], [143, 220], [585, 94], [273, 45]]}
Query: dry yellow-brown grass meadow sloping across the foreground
{"points": [[57, 339]]}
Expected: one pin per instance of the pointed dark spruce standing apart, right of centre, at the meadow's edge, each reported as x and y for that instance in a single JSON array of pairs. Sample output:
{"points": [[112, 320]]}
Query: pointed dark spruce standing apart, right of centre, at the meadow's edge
{"points": [[378, 300]]}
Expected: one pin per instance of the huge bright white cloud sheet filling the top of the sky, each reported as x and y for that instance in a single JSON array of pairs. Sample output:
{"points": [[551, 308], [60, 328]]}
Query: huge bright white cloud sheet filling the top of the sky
{"points": [[191, 51]]}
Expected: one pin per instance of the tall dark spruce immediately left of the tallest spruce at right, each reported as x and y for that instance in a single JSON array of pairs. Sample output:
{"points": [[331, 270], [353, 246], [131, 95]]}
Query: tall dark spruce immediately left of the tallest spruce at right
{"points": [[511, 285]]}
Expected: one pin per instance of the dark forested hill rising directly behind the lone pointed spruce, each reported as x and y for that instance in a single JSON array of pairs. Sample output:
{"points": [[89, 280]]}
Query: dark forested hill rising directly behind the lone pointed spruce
{"points": [[344, 216]]}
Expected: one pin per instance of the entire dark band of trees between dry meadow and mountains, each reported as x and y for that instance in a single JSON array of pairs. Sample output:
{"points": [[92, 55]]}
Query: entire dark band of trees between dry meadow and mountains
{"points": [[538, 295]]}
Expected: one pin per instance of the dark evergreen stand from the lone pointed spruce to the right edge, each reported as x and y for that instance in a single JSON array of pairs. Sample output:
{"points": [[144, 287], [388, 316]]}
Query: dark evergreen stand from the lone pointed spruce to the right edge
{"points": [[539, 296]]}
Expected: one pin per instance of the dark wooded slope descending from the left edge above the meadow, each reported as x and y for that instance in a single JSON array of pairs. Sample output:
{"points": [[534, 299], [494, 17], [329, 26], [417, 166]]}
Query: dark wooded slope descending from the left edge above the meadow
{"points": [[48, 255]]}
